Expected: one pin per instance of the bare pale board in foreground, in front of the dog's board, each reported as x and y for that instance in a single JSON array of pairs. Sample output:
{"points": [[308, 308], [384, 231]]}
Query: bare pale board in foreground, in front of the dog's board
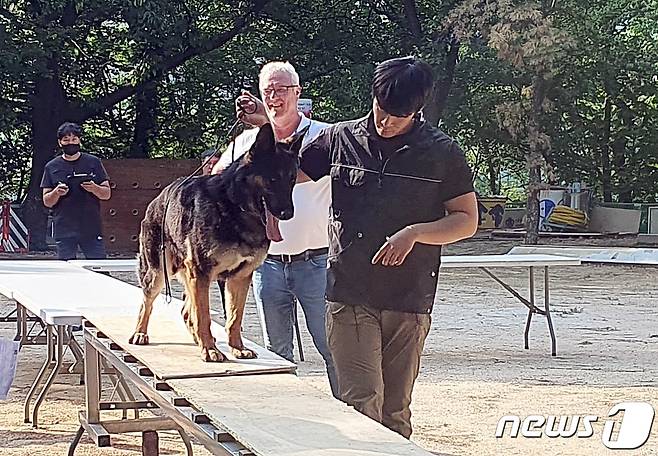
{"points": [[279, 415]]}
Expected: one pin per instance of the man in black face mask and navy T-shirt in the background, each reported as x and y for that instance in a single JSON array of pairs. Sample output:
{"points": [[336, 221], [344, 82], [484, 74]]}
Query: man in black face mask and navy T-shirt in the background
{"points": [[73, 184]]}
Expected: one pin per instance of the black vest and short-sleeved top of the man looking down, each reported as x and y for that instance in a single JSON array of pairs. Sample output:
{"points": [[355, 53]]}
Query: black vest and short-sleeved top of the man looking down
{"points": [[379, 187]]}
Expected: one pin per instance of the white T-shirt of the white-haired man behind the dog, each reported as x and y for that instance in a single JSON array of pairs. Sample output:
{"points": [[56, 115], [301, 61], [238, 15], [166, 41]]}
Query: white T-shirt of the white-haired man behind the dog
{"points": [[308, 228]]}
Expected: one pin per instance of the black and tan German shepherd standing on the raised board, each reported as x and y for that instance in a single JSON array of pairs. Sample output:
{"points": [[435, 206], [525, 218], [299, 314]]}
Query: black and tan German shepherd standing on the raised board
{"points": [[215, 228]]}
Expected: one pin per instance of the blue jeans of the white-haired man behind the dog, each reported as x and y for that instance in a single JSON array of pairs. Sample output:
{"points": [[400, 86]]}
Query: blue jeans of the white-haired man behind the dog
{"points": [[276, 286]]}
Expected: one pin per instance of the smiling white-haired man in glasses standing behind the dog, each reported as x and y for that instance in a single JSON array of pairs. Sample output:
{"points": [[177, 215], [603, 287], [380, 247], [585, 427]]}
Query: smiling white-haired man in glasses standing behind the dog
{"points": [[295, 267]]}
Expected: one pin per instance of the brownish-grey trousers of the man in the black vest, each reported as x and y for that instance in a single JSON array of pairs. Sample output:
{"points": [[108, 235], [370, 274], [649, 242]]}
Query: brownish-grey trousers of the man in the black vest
{"points": [[377, 357]]}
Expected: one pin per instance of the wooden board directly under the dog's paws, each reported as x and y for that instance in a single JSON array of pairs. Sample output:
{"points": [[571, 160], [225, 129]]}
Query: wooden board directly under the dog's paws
{"points": [[172, 353]]}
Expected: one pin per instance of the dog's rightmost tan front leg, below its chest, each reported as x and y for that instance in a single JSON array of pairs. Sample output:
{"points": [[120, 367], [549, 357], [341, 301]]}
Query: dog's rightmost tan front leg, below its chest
{"points": [[237, 288]]}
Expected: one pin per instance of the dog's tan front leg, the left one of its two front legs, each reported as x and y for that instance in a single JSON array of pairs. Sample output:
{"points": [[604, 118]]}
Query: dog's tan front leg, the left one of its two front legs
{"points": [[197, 289]]}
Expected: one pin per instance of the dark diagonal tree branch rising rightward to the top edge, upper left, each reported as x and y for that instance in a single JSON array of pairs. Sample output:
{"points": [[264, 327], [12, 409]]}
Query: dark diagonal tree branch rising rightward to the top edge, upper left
{"points": [[103, 103]]}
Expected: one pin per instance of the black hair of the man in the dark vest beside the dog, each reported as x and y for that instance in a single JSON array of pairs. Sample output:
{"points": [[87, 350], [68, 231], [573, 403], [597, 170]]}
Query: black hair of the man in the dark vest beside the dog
{"points": [[402, 85]]}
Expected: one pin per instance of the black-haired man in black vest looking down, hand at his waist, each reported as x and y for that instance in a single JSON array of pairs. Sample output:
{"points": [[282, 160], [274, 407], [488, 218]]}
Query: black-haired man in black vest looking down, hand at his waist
{"points": [[400, 189]]}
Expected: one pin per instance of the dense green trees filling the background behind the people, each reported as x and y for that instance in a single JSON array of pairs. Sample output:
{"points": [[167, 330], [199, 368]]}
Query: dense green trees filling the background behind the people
{"points": [[599, 60]]}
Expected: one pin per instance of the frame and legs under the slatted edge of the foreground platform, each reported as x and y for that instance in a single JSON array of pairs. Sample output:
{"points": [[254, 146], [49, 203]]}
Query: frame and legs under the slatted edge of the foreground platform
{"points": [[178, 413]]}
